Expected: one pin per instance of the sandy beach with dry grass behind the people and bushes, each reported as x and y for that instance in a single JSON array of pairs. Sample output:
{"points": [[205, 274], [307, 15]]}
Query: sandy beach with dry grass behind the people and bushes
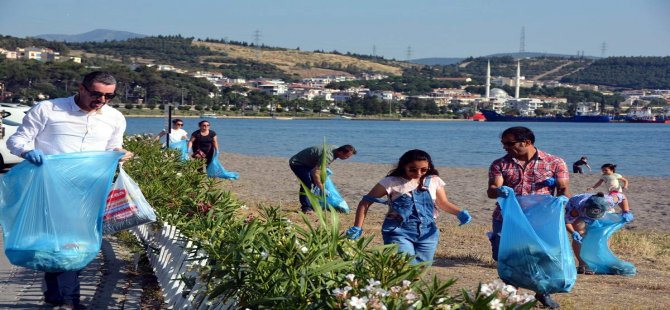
{"points": [[464, 252]]}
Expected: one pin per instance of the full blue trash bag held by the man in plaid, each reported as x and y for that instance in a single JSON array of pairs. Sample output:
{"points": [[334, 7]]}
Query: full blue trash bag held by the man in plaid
{"points": [[535, 251]]}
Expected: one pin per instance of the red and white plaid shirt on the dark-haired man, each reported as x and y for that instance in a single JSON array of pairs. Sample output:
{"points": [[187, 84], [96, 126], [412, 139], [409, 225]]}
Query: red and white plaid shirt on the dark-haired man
{"points": [[528, 180]]}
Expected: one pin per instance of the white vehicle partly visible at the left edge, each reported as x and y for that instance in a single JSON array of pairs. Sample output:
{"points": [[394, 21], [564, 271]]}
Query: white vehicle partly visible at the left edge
{"points": [[11, 116]]}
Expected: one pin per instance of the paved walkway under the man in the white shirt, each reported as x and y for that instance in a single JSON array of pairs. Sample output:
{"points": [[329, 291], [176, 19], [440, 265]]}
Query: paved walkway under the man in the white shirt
{"points": [[106, 283]]}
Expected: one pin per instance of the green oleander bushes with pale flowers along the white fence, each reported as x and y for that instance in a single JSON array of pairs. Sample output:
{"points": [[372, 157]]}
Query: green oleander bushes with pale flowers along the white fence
{"points": [[263, 260]]}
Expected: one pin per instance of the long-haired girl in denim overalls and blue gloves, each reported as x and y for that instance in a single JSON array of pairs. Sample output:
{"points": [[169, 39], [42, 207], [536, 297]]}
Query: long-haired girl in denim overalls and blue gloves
{"points": [[414, 189]]}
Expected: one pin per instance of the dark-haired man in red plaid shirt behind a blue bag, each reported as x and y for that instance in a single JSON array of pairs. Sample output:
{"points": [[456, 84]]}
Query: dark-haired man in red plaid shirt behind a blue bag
{"points": [[528, 171]]}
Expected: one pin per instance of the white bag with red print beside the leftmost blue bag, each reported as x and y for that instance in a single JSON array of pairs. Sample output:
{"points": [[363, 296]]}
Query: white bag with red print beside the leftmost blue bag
{"points": [[126, 206]]}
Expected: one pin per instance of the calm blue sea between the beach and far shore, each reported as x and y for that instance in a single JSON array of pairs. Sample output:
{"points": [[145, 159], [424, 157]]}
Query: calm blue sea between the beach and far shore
{"points": [[636, 149]]}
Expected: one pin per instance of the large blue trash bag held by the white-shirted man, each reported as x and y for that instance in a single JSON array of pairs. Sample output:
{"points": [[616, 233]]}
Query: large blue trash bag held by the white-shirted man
{"points": [[51, 215]]}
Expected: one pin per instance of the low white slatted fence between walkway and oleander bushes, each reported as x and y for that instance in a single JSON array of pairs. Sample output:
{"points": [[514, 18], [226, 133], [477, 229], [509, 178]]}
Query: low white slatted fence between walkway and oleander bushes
{"points": [[175, 261]]}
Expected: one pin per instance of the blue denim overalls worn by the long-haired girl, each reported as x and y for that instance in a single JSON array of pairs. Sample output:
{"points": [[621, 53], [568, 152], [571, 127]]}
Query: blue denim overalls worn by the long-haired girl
{"points": [[414, 231]]}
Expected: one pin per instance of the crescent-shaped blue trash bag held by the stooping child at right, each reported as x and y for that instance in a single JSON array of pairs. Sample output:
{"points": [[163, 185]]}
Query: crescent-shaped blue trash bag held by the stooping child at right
{"points": [[596, 252]]}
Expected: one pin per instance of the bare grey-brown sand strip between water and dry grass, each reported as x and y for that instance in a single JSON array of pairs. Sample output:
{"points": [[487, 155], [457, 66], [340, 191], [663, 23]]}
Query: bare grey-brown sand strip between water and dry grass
{"points": [[269, 180]]}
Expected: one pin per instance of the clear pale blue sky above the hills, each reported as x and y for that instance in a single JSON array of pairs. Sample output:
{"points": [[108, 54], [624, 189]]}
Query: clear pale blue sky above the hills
{"points": [[430, 28]]}
